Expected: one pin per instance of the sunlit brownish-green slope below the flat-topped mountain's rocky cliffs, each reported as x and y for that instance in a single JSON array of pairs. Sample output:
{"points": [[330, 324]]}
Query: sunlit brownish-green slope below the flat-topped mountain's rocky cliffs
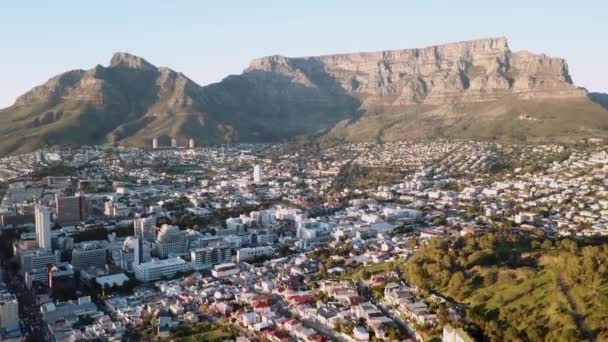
{"points": [[564, 120]]}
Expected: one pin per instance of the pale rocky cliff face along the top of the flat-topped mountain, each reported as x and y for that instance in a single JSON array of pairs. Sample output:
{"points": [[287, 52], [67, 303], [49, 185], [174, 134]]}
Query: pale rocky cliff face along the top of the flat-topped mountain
{"points": [[479, 70]]}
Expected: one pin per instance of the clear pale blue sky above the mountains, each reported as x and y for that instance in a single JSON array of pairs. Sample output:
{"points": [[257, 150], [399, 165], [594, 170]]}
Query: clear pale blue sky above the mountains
{"points": [[208, 40]]}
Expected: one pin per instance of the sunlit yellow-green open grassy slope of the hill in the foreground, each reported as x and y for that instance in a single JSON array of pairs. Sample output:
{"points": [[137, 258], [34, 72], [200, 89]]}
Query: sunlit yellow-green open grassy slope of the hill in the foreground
{"points": [[530, 298]]}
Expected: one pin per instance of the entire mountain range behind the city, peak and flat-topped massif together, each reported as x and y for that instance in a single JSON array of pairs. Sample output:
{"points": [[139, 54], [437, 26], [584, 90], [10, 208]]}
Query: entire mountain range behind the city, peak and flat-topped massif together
{"points": [[475, 89]]}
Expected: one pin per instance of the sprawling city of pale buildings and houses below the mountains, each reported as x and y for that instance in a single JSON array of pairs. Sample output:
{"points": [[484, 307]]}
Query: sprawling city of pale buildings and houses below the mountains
{"points": [[285, 242]]}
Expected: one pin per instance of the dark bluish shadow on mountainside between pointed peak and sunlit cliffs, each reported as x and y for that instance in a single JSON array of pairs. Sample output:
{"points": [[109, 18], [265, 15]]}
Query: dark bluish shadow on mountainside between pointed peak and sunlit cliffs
{"points": [[270, 106]]}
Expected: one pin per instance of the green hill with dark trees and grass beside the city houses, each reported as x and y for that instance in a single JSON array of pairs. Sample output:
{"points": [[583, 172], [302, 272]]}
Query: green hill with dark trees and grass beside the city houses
{"points": [[516, 288]]}
